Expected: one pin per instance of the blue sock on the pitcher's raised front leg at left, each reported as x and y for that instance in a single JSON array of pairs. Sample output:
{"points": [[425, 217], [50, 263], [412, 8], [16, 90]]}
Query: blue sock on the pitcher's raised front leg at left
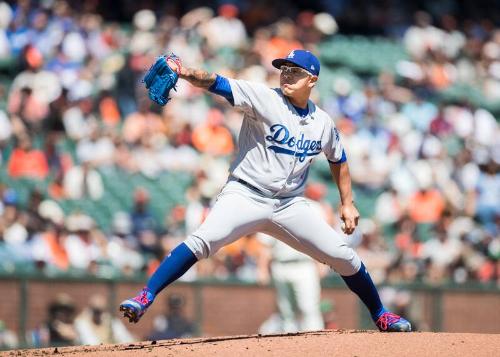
{"points": [[172, 268]]}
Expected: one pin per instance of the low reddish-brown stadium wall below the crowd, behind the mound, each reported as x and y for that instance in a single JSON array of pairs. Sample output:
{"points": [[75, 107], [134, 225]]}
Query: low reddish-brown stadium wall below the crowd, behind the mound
{"points": [[236, 309]]}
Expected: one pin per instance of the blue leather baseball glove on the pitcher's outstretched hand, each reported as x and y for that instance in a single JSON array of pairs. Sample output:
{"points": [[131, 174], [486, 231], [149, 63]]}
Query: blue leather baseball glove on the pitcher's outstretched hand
{"points": [[160, 79]]}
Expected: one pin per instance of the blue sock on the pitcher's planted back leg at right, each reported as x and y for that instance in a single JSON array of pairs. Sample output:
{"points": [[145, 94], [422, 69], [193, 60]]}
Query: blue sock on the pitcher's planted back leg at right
{"points": [[361, 283]]}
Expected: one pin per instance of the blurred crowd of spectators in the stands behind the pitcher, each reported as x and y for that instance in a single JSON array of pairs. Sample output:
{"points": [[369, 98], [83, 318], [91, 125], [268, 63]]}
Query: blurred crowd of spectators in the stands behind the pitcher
{"points": [[74, 110]]}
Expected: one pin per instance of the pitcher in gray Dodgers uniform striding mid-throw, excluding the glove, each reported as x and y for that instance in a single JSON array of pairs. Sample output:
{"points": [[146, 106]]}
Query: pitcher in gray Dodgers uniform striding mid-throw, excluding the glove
{"points": [[282, 132]]}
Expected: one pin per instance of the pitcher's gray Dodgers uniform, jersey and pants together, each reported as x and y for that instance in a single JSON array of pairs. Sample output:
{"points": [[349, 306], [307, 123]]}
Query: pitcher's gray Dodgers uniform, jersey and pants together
{"points": [[267, 179]]}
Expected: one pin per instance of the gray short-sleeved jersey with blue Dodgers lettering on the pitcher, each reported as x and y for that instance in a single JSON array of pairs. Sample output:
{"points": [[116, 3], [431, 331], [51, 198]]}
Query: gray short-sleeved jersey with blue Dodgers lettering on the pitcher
{"points": [[276, 145]]}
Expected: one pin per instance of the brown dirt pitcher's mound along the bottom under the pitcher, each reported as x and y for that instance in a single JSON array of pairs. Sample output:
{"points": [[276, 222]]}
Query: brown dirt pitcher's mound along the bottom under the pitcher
{"points": [[321, 343]]}
